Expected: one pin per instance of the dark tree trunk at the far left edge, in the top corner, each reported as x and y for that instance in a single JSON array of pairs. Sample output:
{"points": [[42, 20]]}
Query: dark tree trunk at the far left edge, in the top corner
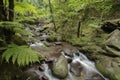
{"points": [[3, 16]]}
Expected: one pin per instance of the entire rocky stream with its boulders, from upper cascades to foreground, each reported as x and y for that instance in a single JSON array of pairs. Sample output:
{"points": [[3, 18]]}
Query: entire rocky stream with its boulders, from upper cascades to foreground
{"points": [[52, 68]]}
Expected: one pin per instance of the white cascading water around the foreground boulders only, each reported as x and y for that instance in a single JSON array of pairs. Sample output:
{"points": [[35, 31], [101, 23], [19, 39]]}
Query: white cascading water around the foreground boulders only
{"points": [[88, 67]]}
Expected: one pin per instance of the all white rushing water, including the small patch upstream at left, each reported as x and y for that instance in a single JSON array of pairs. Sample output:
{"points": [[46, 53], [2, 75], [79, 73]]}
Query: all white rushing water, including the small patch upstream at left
{"points": [[88, 66]]}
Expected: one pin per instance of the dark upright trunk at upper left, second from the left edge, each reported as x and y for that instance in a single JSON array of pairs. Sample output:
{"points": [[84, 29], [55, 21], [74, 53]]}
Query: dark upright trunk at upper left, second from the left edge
{"points": [[11, 10]]}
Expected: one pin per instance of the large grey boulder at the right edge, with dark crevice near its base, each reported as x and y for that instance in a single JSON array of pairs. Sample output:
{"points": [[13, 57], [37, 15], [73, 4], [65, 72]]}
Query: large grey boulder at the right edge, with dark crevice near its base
{"points": [[112, 44]]}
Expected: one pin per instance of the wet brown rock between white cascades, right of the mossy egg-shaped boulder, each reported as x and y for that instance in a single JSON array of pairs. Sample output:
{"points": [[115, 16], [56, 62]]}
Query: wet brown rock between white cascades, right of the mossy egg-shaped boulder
{"points": [[76, 68]]}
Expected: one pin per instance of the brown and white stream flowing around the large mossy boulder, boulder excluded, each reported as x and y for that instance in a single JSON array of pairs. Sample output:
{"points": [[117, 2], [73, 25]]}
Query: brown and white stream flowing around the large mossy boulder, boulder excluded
{"points": [[79, 66]]}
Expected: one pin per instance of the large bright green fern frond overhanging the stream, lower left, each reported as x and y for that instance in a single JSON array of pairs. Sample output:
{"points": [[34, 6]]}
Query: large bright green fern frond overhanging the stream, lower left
{"points": [[22, 55]]}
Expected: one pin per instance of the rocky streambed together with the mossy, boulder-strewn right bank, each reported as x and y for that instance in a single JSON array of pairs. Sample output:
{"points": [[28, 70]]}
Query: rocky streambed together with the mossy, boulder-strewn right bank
{"points": [[66, 62]]}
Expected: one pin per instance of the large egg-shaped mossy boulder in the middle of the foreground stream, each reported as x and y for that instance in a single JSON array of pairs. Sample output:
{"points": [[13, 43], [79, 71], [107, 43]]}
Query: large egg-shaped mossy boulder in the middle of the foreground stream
{"points": [[60, 67]]}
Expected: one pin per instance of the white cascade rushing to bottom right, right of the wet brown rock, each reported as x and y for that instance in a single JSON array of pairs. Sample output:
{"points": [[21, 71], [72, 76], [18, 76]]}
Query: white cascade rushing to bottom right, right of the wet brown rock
{"points": [[88, 65]]}
